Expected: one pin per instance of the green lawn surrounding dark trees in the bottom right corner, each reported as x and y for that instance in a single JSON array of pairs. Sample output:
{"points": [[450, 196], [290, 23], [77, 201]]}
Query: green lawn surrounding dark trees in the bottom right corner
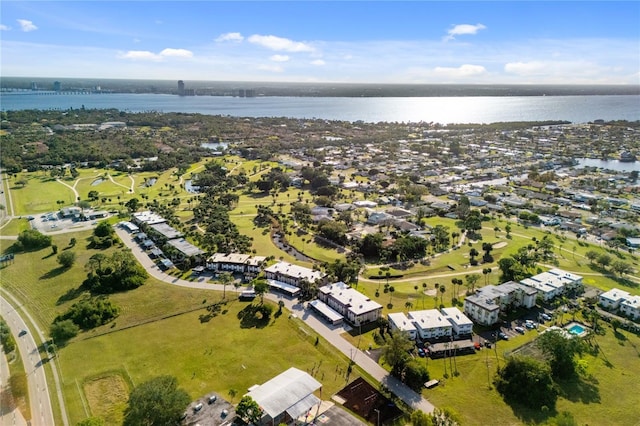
{"points": [[605, 401]]}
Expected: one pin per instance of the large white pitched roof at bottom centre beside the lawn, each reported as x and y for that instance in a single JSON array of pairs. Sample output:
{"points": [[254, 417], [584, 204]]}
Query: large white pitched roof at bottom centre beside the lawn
{"points": [[289, 392]]}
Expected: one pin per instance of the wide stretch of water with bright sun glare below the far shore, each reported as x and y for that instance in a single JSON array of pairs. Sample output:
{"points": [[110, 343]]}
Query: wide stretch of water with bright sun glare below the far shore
{"points": [[444, 110]]}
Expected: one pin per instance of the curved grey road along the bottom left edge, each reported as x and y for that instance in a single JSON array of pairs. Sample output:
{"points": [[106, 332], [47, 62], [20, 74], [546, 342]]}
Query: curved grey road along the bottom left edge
{"points": [[41, 411]]}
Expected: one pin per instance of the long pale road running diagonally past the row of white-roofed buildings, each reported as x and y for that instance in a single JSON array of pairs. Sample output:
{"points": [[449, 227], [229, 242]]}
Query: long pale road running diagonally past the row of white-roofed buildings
{"points": [[332, 335]]}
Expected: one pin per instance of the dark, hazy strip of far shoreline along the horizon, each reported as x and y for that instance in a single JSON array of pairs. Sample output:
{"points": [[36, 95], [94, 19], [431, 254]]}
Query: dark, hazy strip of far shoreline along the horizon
{"points": [[294, 89]]}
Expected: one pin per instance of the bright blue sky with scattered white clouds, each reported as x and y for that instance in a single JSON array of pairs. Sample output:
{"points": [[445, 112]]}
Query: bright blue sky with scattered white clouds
{"points": [[510, 42]]}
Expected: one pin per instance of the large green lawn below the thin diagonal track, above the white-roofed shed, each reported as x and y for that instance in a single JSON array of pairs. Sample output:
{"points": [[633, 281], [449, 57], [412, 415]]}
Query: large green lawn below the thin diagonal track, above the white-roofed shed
{"points": [[220, 355]]}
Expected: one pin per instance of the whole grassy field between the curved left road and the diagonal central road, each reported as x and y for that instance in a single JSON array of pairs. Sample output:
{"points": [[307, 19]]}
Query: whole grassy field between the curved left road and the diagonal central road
{"points": [[172, 333]]}
